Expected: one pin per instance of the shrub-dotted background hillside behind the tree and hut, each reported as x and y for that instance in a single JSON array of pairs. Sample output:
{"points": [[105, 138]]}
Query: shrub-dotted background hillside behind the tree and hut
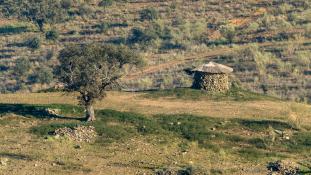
{"points": [[266, 42]]}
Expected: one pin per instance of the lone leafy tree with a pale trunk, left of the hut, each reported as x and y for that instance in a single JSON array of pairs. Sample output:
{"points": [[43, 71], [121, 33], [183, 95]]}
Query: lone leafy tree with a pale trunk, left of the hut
{"points": [[92, 69]]}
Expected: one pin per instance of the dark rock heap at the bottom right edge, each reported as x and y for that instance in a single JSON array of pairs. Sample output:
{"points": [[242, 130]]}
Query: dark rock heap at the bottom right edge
{"points": [[283, 168]]}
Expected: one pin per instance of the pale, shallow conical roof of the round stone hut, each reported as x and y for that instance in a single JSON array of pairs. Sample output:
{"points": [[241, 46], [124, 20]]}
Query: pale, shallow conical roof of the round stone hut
{"points": [[214, 68]]}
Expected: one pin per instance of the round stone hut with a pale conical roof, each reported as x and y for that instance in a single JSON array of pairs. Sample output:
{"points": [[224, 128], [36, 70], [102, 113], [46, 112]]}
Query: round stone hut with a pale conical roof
{"points": [[212, 77]]}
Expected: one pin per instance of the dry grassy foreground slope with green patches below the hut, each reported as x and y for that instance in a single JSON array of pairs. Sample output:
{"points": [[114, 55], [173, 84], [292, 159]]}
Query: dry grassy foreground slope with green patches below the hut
{"points": [[154, 133]]}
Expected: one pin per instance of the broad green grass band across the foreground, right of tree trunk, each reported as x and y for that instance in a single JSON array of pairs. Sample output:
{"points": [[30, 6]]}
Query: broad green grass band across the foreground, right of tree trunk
{"points": [[115, 126]]}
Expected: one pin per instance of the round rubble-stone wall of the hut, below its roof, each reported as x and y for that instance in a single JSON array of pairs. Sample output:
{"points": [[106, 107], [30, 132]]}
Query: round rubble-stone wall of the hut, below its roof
{"points": [[211, 82]]}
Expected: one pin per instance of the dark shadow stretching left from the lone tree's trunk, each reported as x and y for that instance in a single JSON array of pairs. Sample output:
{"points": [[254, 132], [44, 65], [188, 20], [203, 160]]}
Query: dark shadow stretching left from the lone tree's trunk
{"points": [[39, 112]]}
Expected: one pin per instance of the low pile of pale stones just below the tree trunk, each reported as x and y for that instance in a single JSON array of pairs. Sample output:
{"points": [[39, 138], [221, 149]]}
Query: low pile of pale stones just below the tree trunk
{"points": [[80, 133]]}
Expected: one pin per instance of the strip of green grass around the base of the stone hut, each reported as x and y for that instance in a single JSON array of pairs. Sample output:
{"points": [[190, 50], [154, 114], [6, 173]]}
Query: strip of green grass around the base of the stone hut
{"points": [[235, 94]]}
